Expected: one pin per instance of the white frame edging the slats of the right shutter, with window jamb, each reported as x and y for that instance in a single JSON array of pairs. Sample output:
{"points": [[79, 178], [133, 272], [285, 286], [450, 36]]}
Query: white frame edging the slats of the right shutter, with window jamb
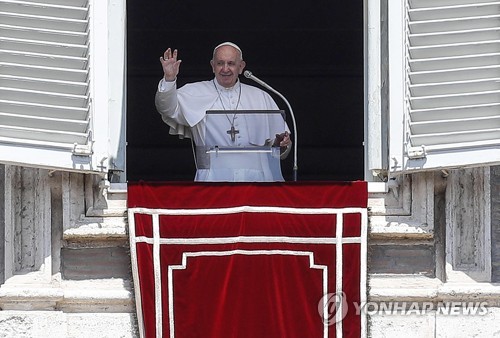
{"points": [[393, 118]]}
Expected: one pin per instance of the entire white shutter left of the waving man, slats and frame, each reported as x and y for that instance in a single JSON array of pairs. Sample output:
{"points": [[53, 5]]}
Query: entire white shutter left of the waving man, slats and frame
{"points": [[55, 101]]}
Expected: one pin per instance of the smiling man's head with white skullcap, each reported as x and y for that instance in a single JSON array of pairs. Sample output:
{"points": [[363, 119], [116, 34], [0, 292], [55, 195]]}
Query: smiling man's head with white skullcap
{"points": [[227, 65]]}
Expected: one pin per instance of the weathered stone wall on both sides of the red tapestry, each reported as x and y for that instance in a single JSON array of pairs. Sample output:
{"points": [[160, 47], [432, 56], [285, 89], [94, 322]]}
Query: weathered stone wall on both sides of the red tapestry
{"points": [[65, 272]]}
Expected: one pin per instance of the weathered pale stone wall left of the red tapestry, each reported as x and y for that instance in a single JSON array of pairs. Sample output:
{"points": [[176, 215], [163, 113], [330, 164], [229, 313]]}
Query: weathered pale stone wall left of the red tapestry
{"points": [[65, 268]]}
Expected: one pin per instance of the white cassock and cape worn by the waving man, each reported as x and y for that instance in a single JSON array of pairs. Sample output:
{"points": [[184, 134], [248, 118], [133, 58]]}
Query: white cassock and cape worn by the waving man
{"points": [[184, 110]]}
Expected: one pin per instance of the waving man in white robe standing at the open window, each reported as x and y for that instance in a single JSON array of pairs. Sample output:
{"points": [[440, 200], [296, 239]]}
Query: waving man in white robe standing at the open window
{"points": [[184, 110]]}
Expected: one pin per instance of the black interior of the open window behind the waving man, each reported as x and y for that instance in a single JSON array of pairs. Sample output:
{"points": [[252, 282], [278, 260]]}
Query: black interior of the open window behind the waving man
{"points": [[311, 52]]}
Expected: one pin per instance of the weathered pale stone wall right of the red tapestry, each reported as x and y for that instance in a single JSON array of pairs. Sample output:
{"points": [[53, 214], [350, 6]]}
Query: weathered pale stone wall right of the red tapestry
{"points": [[422, 267]]}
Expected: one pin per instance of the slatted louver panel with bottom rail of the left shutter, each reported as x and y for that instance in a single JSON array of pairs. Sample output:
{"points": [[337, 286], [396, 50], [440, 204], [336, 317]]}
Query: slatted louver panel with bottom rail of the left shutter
{"points": [[45, 112]]}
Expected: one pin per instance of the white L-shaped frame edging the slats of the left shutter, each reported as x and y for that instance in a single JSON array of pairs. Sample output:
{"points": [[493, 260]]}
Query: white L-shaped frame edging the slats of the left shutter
{"points": [[105, 150]]}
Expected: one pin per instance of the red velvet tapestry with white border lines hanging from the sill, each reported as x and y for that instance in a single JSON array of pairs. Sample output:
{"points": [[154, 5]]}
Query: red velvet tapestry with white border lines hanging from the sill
{"points": [[249, 260]]}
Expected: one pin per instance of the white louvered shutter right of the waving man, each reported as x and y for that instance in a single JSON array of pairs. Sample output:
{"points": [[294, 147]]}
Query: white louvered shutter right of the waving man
{"points": [[445, 104]]}
